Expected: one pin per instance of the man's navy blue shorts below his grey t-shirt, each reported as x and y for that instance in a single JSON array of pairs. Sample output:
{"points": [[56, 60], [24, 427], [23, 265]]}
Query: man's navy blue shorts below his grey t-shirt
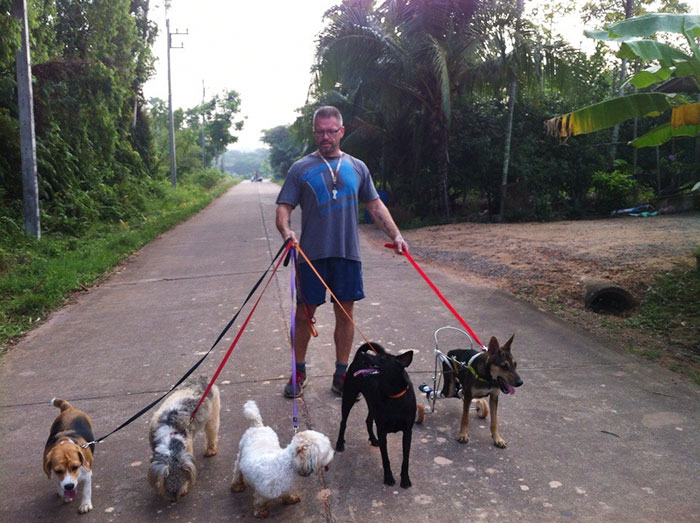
{"points": [[343, 276]]}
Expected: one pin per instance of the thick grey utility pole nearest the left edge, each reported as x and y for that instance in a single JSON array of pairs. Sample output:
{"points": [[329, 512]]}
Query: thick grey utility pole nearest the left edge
{"points": [[30, 188]]}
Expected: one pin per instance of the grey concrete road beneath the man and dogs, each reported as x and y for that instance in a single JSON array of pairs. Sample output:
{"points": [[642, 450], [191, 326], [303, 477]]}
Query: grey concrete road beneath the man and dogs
{"points": [[593, 435]]}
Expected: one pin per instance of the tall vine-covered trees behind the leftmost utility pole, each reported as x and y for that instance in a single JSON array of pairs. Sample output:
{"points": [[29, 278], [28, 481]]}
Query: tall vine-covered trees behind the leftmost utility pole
{"points": [[90, 60]]}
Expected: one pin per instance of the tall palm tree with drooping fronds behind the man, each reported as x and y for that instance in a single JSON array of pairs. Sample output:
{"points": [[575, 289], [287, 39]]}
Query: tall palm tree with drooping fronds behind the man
{"points": [[406, 60]]}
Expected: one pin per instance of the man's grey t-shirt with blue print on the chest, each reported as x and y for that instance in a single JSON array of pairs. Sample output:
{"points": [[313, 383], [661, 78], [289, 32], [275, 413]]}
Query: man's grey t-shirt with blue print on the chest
{"points": [[328, 226]]}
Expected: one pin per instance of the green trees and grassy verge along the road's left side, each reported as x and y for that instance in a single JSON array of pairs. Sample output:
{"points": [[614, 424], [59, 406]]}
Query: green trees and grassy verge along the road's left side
{"points": [[102, 150]]}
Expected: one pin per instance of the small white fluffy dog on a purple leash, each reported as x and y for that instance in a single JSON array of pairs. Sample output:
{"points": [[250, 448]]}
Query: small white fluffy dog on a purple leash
{"points": [[270, 469]]}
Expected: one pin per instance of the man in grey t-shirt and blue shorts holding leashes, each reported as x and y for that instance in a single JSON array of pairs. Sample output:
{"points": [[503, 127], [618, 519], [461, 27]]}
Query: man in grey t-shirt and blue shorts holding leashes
{"points": [[328, 184]]}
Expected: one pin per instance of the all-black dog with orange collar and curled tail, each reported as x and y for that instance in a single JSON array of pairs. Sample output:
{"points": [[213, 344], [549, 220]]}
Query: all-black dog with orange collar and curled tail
{"points": [[383, 381]]}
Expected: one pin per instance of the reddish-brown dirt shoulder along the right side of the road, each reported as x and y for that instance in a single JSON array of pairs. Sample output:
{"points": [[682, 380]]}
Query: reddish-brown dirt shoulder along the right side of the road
{"points": [[545, 263]]}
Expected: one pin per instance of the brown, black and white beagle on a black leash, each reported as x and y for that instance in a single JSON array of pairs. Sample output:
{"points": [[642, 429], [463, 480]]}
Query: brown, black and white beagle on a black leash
{"points": [[66, 462]]}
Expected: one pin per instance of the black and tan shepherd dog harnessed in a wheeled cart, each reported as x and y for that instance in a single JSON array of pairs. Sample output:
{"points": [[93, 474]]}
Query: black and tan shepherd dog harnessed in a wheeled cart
{"points": [[481, 374]]}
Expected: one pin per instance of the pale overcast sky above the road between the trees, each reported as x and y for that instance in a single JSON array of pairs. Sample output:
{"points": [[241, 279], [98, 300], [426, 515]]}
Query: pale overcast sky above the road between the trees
{"points": [[263, 49]]}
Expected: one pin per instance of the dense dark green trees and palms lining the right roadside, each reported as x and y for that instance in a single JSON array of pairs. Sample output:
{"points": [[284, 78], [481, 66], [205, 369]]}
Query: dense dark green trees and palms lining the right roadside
{"points": [[446, 101]]}
